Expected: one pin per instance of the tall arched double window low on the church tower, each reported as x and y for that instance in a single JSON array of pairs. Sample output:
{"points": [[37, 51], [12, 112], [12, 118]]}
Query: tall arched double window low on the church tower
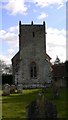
{"points": [[33, 70]]}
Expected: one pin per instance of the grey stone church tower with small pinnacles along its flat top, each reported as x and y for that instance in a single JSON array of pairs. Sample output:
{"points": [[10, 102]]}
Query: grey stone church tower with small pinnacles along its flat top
{"points": [[30, 64]]}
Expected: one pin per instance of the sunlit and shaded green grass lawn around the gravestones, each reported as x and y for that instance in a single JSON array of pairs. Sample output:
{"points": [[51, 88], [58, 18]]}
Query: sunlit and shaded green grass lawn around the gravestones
{"points": [[14, 106]]}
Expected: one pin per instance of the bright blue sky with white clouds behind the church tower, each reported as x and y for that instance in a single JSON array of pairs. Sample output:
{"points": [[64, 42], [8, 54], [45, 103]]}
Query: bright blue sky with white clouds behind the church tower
{"points": [[53, 12]]}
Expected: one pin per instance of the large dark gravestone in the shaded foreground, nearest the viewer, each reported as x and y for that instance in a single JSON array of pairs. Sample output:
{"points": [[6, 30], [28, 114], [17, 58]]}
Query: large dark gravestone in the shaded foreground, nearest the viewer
{"points": [[41, 109]]}
